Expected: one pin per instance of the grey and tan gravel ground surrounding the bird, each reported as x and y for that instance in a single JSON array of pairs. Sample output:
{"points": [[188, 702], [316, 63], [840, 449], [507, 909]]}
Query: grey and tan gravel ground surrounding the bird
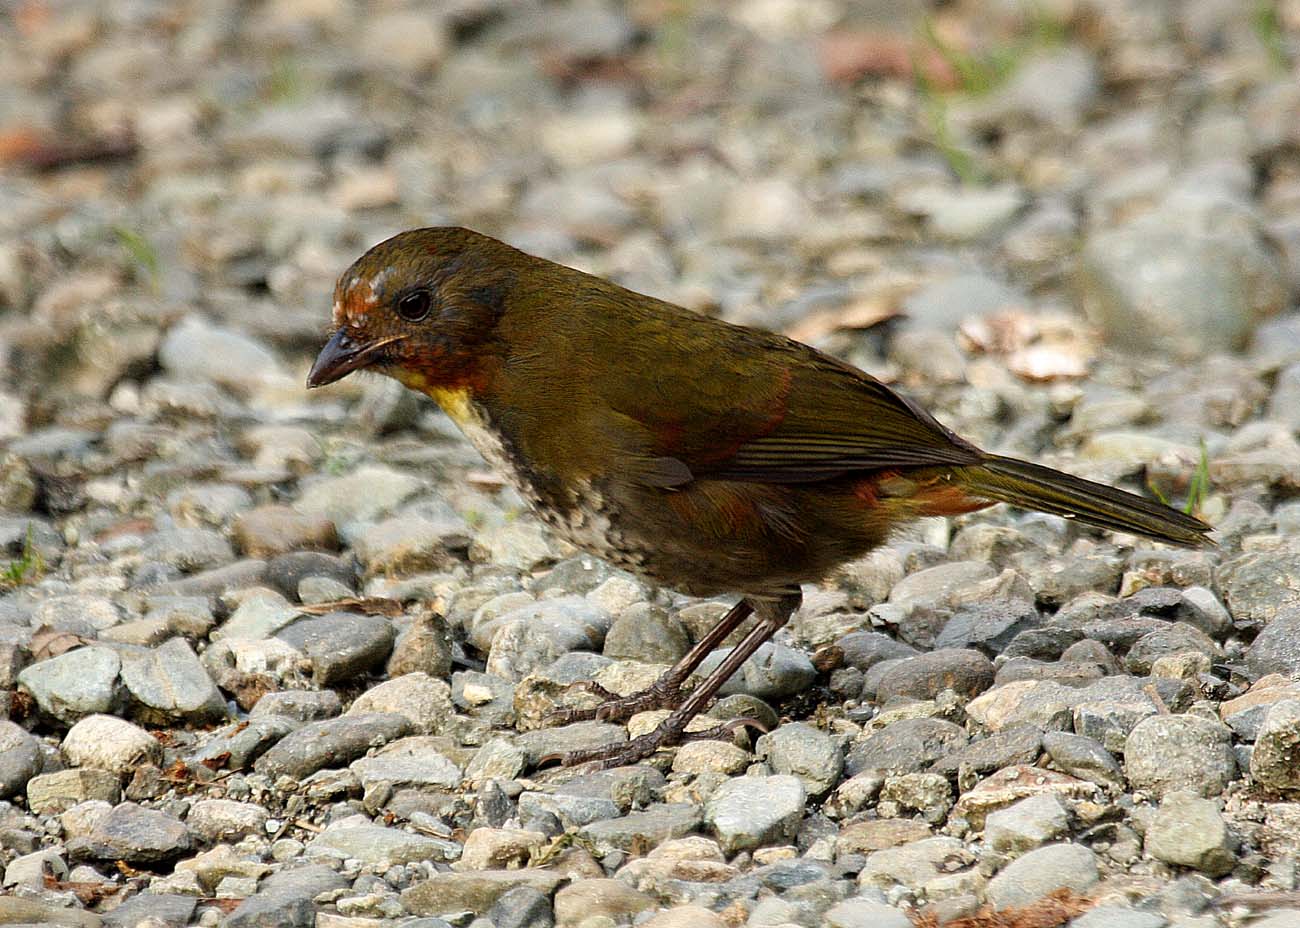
{"points": [[274, 660]]}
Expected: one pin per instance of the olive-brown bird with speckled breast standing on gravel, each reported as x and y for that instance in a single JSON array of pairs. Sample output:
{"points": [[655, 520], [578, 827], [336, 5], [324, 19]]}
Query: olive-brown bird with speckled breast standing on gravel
{"points": [[705, 457]]}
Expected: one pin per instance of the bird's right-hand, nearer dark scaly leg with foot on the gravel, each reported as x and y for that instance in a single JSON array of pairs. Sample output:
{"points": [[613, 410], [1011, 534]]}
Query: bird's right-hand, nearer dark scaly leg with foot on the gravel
{"points": [[772, 617]]}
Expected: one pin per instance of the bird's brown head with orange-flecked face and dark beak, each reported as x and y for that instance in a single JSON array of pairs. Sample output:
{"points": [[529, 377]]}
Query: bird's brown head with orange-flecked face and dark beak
{"points": [[422, 307]]}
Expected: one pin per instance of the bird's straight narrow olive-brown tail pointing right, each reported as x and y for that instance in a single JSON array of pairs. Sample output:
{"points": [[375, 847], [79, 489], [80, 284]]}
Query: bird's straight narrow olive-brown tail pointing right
{"points": [[1033, 487]]}
